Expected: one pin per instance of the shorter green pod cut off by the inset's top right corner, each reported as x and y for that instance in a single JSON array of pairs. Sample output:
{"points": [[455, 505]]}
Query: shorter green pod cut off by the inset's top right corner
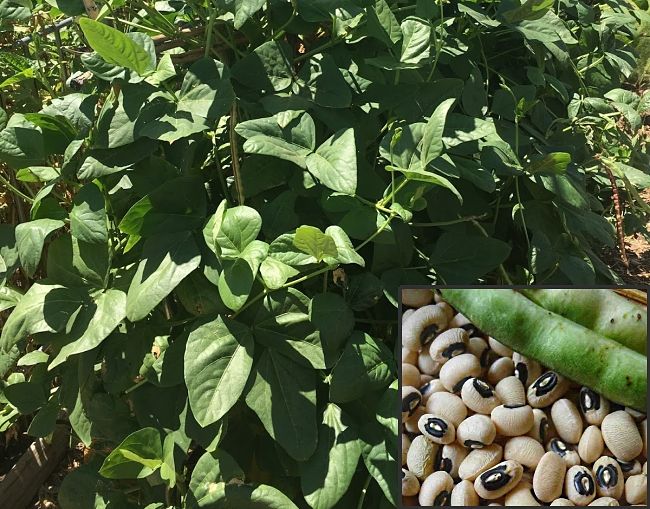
{"points": [[602, 311]]}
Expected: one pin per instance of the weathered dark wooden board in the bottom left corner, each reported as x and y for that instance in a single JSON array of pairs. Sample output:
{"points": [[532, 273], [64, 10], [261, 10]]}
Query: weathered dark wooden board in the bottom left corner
{"points": [[21, 484]]}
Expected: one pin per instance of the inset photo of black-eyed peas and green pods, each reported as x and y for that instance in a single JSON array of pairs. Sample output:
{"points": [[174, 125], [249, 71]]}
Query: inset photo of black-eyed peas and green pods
{"points": [[523, 397]]}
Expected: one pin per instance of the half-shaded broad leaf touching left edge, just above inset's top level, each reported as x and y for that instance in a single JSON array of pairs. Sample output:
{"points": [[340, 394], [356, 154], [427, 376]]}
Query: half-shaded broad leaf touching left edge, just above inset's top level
{"points": [[44, 308]]}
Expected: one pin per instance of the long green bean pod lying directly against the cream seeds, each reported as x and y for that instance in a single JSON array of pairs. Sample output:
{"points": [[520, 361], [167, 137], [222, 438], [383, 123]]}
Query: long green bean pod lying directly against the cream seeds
{"points": [[576, 352]]}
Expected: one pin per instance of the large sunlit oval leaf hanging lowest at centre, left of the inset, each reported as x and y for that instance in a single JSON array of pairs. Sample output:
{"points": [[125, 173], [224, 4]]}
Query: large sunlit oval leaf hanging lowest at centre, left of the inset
{"points": [[218, 359]]}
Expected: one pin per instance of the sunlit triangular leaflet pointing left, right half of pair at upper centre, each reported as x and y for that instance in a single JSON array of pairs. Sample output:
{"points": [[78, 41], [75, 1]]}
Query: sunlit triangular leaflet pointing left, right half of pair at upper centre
{"points": [[335, 162]]}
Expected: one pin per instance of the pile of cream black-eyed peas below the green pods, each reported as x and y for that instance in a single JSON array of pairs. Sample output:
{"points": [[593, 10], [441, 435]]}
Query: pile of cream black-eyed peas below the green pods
{"points": [[483, 425]]}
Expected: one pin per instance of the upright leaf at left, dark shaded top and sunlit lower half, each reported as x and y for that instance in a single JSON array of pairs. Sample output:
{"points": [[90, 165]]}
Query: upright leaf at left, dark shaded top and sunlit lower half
{"points": [[88, 215]]}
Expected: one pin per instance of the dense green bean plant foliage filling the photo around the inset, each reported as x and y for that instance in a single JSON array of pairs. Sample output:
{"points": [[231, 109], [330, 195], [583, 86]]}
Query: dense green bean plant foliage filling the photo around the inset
{"points": [[209, 208]]}
